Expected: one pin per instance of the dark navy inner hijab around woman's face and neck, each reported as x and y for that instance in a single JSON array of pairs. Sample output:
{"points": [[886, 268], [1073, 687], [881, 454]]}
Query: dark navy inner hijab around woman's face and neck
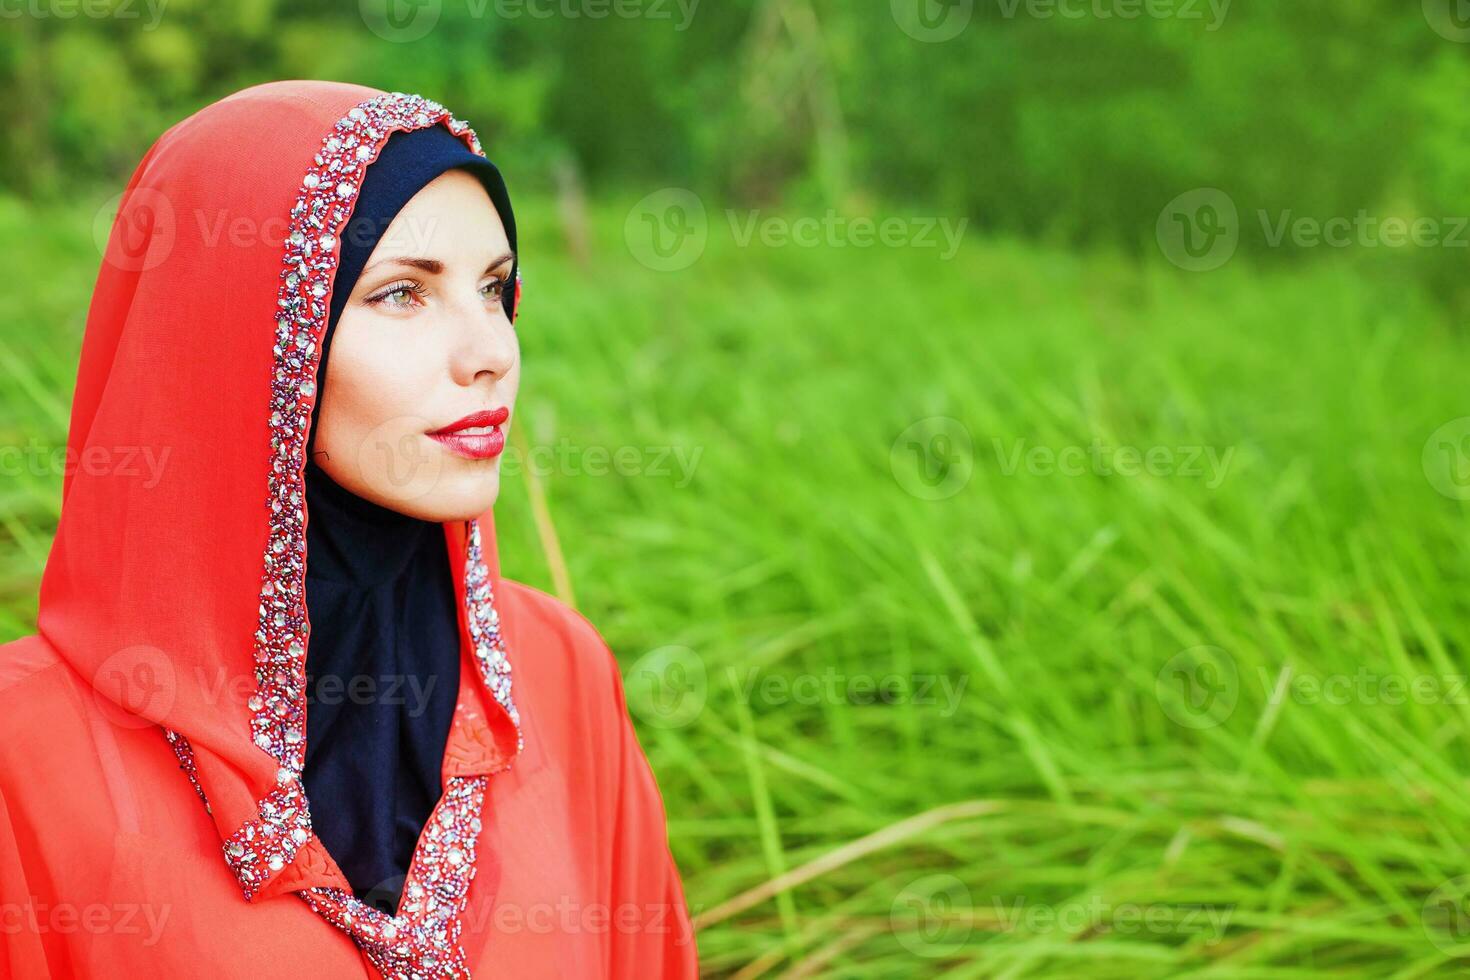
{"points": [[383, 663]]}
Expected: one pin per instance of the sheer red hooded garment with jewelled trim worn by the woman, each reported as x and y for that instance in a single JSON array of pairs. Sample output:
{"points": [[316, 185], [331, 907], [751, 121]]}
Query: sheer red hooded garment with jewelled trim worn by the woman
{"points": [[154, 734]]}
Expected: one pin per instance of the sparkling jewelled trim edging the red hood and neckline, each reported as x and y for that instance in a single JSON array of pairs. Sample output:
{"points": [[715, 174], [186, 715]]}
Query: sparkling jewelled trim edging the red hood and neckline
{"points": [[423, 940]]}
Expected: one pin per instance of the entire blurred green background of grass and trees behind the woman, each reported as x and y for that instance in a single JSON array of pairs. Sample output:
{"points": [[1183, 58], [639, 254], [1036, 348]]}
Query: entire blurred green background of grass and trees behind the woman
{"points": [[1018, 449]]}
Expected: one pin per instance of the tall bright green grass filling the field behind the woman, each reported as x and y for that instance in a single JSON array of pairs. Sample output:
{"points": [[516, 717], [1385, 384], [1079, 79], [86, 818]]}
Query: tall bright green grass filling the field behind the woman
{"points": [[1099, 824]]}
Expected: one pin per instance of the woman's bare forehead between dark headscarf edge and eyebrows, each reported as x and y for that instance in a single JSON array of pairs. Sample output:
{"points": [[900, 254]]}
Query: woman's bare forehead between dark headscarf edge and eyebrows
{"points": [[451, 220]]}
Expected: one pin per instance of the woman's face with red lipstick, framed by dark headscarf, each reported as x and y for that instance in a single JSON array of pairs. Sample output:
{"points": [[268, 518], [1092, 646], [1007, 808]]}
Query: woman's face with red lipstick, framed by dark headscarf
{"points": [[424, 364]]}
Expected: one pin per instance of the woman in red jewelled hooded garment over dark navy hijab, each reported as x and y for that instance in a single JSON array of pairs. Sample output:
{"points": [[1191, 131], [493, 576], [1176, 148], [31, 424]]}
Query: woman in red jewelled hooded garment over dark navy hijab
{"points": [[270, 725]]}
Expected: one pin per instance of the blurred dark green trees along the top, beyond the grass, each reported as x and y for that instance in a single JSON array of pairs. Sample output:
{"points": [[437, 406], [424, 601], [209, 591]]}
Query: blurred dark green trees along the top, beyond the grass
{"points": [[1077, 129]]}
